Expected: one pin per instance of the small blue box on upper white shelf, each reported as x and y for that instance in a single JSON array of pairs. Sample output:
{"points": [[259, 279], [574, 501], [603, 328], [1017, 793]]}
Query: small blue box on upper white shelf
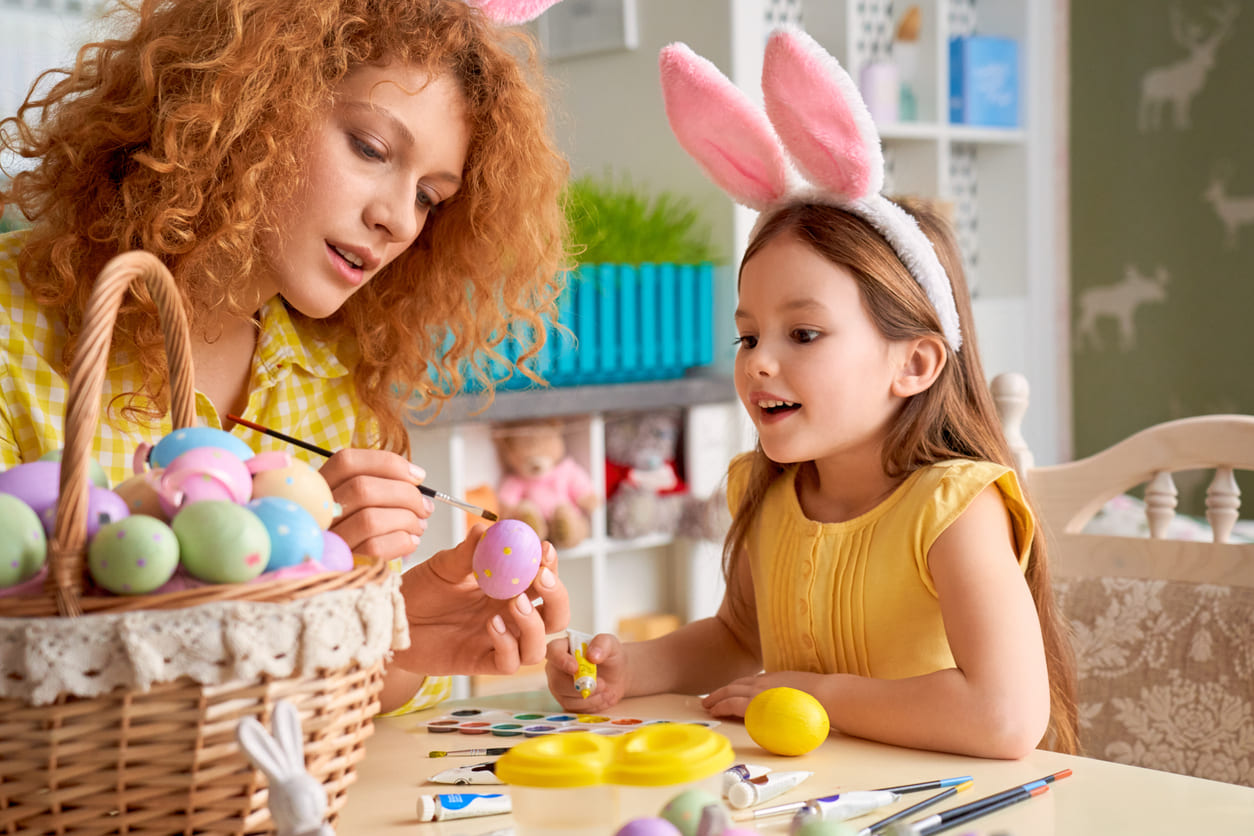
{"points": [[984, 82]]}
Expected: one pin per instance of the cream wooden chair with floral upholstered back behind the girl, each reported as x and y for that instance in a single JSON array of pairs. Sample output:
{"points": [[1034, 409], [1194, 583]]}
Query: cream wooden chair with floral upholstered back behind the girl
{"points": [[1163, 630]]}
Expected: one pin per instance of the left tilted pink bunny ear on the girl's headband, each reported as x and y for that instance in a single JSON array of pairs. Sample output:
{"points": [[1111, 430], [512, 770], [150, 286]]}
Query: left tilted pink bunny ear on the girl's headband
{"points": [[727, 133]]}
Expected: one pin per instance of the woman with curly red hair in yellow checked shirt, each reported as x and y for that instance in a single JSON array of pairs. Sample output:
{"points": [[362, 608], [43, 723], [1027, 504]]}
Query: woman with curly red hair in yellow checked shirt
{"points": [[356, 197]]}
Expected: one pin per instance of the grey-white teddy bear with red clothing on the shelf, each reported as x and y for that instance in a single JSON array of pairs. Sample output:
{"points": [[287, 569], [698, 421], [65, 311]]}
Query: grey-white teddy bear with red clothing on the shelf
{"points": [[644, 491]]}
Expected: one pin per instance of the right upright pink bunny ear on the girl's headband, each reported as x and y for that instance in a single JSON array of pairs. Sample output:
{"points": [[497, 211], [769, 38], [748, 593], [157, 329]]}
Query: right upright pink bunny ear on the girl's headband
{"points": [[821, 117]]}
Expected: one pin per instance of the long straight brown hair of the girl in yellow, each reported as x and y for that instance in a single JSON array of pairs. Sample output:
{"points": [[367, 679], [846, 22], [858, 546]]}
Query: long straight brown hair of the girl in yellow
{"points": [[954, 419]]}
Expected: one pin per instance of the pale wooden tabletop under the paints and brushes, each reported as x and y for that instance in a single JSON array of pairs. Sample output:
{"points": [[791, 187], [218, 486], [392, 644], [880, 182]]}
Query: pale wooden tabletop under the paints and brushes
{"points": [[1099, 799]]}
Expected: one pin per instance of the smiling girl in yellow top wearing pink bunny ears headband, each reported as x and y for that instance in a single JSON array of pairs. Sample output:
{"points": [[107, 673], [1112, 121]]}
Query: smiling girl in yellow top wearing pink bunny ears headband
{"points": [[882, 556]]}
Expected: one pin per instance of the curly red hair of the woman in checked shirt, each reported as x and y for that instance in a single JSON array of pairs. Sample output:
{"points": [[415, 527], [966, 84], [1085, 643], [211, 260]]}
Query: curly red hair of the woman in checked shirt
{"points": [[184, 136]]}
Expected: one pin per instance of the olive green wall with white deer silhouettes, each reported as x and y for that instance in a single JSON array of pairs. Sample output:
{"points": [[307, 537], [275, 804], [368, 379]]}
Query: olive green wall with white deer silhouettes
{"points": [[1139, 201]]}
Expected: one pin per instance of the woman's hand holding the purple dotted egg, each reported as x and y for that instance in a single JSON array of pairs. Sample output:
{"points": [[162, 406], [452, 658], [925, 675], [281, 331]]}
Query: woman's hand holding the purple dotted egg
{"points": [[455, 629]]}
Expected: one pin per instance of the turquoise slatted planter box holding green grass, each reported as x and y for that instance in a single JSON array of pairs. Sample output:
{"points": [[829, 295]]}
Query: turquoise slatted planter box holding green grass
{"points": [[623, 324]]}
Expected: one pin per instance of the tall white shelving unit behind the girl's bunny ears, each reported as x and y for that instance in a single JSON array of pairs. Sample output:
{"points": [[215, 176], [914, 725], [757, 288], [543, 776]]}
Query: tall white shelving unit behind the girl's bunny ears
{"points": [[1001, 182]]}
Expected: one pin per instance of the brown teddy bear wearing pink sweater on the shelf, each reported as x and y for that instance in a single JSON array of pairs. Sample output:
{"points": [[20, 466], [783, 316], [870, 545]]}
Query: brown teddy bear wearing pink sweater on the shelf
{"points": [[542, 486]]}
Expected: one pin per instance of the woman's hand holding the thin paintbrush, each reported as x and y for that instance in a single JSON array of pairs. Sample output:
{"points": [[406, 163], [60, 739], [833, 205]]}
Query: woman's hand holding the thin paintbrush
{"points": [[384, 516]]}
